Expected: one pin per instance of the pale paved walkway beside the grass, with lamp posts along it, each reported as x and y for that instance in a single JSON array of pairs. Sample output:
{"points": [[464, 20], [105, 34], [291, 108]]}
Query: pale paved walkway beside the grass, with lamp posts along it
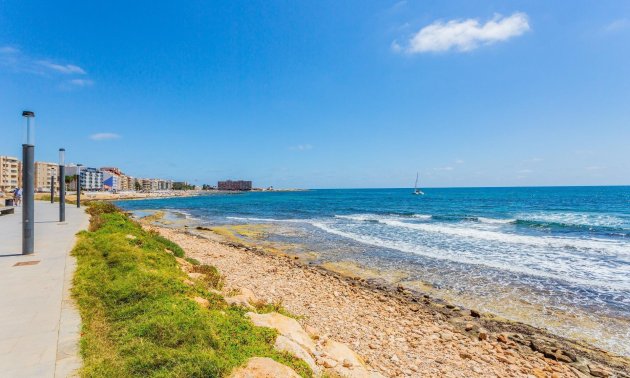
{"points": [[39, 325]]}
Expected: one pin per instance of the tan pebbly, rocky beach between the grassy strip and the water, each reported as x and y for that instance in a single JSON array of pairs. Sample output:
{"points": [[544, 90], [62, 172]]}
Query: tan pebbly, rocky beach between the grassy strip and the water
{"points": [[397, 331]]}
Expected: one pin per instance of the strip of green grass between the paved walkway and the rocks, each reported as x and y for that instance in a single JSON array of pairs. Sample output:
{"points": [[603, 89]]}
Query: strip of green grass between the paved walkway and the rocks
{"points": [[138, 315]]}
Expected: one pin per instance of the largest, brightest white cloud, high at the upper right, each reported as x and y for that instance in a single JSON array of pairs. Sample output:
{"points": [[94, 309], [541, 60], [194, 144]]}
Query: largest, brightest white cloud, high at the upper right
{"points": [[465, 35]]}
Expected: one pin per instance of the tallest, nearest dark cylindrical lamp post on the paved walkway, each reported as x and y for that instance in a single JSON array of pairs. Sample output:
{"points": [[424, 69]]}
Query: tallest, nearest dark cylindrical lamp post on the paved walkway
{"points": [[28, 185]]}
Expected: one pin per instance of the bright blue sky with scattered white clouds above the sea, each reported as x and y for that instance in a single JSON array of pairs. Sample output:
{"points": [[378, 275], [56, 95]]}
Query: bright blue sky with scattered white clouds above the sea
{"points": [[324, 94]]}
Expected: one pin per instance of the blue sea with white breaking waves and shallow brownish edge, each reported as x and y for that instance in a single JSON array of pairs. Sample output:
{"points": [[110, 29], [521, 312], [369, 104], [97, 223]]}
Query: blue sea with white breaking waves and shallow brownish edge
{"points": [[553, 257]]}
